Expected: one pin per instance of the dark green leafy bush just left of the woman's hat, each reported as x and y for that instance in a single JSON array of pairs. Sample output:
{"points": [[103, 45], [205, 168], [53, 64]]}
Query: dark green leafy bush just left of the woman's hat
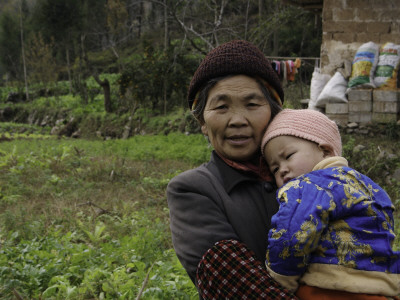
{"points": [[155, 74]]}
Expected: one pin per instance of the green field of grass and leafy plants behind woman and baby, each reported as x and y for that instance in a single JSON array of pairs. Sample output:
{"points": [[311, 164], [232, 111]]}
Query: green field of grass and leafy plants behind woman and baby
{"points": [[88, 219]]}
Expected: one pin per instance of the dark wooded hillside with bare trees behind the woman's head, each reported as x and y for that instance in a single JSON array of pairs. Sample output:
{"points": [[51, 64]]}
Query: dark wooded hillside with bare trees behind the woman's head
{"points": [[128, 56]]}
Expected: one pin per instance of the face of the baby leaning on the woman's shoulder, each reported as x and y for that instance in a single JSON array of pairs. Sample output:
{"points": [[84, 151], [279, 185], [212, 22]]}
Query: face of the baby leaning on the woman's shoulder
{"points": [[289, 157]]}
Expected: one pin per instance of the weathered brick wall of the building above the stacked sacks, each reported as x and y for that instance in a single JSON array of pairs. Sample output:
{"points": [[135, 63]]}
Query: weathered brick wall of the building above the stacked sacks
{"points": [[347, 24]]}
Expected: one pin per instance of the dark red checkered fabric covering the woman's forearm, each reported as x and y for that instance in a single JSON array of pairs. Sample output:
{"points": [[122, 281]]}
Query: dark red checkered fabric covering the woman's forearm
{"points": [[229, 270]]}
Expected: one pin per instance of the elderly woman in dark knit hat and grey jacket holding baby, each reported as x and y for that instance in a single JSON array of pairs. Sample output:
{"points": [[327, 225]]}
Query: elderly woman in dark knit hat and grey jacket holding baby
{"points": [[220, 212]]}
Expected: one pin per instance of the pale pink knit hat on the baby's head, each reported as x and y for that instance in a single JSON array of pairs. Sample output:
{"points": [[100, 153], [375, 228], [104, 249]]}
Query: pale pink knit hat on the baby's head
{"points": [[307, 124]]}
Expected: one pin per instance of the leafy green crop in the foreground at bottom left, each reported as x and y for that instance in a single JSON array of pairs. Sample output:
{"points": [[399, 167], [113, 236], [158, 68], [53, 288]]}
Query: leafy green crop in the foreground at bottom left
{"points": [[60, 266]]}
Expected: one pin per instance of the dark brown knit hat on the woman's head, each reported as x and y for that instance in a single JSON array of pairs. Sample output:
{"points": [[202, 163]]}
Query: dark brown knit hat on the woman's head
{"points": [[235, 57]]}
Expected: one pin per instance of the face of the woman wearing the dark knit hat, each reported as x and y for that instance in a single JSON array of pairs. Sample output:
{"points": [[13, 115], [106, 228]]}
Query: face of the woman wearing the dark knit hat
{"points": [[235, 117]]}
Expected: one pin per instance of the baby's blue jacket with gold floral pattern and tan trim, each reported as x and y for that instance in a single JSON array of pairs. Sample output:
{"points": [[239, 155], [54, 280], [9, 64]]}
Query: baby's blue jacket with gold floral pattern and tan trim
{"points": [[334, 230]]}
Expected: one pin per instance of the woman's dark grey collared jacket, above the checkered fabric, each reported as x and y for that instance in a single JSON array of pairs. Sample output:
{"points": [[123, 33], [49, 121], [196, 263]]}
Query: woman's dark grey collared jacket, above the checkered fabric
{"points": [[216, 202]]}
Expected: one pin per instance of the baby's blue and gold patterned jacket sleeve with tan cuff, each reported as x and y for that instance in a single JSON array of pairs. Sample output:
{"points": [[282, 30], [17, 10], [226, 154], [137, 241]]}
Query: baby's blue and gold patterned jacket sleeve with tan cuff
{"points": [[296, 230]]}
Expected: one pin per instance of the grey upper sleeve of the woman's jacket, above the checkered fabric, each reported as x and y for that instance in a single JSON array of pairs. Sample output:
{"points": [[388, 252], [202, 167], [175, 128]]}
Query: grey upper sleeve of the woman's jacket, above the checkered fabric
{"points": [[197, 217]]}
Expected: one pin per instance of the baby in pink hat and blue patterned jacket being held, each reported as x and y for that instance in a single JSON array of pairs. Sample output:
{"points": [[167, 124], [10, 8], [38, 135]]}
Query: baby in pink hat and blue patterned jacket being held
{"points": [[333, 234]]}
